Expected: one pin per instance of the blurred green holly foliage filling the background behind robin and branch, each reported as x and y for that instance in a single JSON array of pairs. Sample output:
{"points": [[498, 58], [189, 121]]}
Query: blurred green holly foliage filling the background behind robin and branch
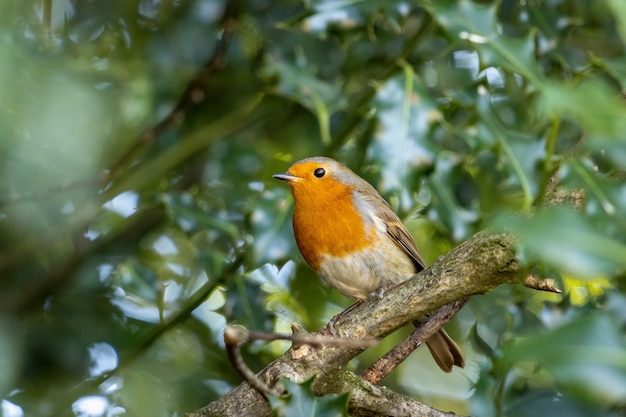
{"points": [[124, 249]]}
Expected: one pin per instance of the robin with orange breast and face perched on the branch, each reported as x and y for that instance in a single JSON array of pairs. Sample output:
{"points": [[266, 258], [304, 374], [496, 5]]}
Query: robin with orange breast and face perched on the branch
{"points": [[352, 238]]}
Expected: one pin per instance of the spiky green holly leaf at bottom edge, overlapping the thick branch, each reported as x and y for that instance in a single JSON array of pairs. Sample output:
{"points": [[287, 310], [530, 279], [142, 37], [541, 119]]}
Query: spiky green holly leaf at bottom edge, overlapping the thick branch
{"points": [[303, 403]]}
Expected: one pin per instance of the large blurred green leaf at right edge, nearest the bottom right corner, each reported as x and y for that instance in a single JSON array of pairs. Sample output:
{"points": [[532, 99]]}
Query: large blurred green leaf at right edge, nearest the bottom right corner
{"points": [[587, 357]]}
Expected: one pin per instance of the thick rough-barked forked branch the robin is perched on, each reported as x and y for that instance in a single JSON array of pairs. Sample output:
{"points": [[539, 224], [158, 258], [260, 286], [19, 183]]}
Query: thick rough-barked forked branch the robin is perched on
{"points": [[474, 267]]}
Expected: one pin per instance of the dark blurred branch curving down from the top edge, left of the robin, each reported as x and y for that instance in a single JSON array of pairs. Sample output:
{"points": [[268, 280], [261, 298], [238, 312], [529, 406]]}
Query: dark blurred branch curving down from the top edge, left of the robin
{"points": [[193, 95]]}
